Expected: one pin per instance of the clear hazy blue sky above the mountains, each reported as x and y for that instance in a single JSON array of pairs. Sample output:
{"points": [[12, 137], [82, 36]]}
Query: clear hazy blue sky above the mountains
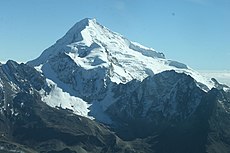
{"points": [[195, 32]]}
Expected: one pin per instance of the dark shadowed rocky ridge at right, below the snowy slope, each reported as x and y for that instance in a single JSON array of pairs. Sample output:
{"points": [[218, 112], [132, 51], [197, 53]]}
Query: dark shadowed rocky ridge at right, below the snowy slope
{"points": [[181, 117]]}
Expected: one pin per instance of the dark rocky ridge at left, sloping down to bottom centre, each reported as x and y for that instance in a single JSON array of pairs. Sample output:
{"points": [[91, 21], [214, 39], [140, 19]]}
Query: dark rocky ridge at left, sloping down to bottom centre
{"points": [[29, 125]]}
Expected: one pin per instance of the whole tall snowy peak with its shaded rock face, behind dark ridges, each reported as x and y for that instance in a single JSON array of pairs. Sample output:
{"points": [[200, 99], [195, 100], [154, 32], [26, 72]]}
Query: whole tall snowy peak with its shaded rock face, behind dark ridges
{"points": [[90, 60]]}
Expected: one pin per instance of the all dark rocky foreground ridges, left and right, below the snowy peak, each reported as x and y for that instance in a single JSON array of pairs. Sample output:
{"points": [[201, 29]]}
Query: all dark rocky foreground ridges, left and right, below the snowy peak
{"points": [[164, 113]]}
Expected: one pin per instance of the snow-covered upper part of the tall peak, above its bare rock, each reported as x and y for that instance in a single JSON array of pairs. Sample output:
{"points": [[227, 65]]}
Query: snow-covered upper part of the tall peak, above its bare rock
{"points": [[91, 45]]}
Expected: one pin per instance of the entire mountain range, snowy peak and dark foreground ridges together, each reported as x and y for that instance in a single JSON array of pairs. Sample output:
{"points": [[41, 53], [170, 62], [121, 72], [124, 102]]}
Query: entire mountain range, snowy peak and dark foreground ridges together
{"points": [[96, 91]]}
